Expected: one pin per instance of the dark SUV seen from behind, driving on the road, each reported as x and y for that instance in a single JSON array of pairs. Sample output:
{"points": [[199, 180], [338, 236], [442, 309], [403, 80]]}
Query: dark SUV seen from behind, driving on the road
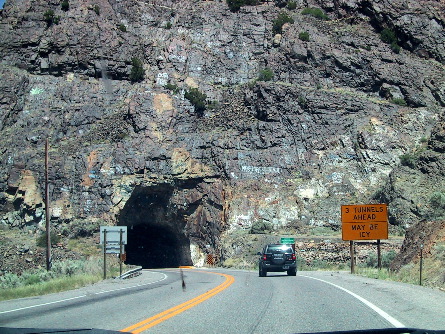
{"points": [[277, 257]]}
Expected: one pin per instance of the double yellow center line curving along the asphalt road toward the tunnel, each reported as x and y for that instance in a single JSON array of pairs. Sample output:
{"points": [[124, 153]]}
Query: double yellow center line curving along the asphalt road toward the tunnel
{"points": [[167, 314]]}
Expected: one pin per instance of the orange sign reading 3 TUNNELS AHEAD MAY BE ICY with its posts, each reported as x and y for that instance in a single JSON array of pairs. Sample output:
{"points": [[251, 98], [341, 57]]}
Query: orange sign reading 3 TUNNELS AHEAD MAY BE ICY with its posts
{"points": [[364, 222]]}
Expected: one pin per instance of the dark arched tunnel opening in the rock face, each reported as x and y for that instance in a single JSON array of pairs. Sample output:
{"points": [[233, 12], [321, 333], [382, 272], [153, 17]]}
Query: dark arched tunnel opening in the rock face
{"points": [[156, 237]]}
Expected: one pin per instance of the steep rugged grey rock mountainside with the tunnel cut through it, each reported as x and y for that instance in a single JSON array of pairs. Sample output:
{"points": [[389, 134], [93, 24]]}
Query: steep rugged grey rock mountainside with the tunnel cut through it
{"points": [[328, 128]]}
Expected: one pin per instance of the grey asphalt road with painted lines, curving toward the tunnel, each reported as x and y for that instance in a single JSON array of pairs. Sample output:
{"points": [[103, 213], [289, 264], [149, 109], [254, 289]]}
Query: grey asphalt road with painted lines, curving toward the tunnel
{"points": [[232, 301]]}
